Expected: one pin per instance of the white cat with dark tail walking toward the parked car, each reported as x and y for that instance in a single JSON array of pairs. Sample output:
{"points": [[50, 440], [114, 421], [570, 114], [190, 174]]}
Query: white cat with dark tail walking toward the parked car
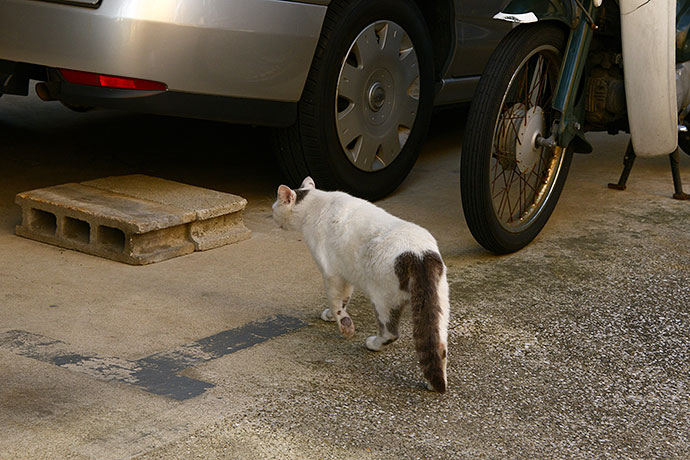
{"points": [[394, 262]]}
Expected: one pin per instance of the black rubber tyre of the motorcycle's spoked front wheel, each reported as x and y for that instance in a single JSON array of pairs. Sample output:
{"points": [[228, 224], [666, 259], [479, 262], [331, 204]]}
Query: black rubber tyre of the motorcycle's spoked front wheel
{"points": [[475, 192]]}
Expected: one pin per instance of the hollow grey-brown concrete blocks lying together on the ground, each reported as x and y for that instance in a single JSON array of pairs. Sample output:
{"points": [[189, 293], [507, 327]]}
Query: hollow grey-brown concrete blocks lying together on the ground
{"points": [[133, 219]]}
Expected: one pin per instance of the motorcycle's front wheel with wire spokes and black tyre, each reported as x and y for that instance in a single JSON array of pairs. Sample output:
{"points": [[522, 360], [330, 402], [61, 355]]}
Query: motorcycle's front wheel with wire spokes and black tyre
{"points": [[509, 183]]}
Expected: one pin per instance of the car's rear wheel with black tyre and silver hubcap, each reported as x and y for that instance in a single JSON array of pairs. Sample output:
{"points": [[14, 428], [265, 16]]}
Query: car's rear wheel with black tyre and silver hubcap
{"points": [[367, 102]]}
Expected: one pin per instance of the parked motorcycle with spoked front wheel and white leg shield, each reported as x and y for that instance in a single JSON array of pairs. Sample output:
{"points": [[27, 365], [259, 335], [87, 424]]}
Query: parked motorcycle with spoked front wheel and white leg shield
{"points": [[566, 68]]}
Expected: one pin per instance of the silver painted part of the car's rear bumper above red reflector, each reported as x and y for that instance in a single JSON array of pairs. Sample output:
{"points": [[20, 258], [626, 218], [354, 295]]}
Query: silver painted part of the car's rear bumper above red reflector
{"points": [[249, 49]]}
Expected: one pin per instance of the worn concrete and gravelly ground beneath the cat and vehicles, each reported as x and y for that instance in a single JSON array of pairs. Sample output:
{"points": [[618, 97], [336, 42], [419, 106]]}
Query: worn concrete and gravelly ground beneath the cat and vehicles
{"points": [[577, 347]]}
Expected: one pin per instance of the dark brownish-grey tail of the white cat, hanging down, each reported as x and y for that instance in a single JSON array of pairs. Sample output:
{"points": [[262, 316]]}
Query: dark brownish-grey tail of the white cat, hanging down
{"points": [[426, 281]]}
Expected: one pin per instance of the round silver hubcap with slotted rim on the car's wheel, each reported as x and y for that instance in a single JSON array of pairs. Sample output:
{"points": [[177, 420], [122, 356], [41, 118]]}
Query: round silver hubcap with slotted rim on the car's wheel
{"points": [[377, 96]]}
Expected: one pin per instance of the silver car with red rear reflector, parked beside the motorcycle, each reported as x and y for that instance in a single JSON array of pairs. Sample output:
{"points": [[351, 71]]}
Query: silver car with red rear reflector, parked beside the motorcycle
{"points": [[349, 85]]}
